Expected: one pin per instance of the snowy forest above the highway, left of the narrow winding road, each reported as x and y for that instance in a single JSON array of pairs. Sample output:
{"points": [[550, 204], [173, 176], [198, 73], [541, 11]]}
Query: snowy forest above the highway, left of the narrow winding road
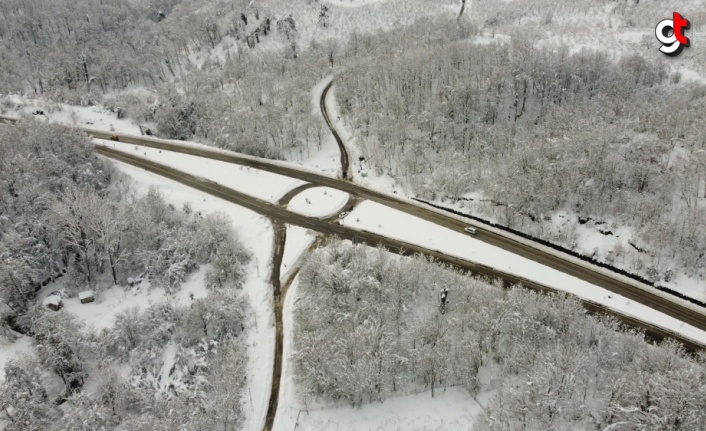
{"points": [[185, 70]]}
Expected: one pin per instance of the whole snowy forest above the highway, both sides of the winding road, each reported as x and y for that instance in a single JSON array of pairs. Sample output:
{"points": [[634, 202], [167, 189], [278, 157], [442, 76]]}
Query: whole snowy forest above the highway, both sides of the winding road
{"points": [[529, 125]]}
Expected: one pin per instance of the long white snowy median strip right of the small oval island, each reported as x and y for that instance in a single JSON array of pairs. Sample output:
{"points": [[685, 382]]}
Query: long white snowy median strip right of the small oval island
{"points": [[386, 221]]}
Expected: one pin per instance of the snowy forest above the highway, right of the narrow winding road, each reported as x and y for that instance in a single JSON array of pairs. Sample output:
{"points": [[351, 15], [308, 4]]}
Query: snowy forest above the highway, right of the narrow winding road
{"points": [[537, 132]]}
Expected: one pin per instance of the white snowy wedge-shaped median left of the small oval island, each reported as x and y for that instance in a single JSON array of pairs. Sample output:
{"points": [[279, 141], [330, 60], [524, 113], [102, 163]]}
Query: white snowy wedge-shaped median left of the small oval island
{"points": [[260, 184]]}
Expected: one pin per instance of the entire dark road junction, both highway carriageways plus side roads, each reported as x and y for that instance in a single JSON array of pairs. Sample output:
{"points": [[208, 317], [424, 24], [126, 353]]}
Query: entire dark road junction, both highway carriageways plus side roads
{"points": [[280, 217]]}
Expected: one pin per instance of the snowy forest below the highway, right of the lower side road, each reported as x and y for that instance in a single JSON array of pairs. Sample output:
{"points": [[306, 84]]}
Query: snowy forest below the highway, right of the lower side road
{"points": [[370, 325]]}
